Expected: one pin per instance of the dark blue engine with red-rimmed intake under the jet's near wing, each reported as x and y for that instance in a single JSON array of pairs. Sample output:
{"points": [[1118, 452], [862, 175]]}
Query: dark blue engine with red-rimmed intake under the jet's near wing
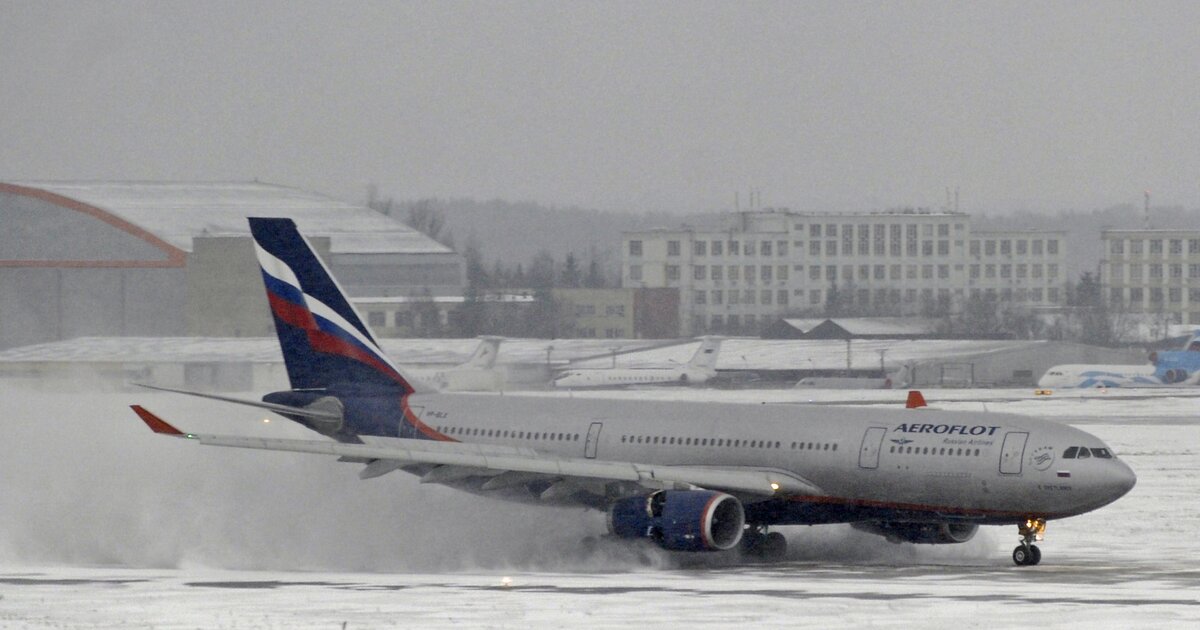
{"points": [[693, 520]]}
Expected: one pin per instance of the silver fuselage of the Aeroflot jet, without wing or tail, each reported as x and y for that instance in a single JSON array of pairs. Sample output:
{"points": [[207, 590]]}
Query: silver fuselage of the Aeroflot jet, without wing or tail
{"points": [[868, 464]]}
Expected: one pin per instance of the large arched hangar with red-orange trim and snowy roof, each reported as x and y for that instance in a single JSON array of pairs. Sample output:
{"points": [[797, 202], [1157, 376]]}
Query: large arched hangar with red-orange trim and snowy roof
{"points": [[171, 260]]}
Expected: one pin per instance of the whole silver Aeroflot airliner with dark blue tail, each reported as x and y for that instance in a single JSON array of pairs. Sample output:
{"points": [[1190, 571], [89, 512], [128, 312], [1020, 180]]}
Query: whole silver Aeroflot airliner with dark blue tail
{"points": [[685, 476]]}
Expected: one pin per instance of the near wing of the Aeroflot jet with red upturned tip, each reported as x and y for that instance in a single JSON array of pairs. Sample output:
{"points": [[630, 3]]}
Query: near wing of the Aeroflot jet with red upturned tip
{"points": [[496, 460]]}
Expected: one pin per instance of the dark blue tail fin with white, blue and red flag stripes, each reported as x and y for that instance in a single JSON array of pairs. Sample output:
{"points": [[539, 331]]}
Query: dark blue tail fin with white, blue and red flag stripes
{"points": [[323, 339]]}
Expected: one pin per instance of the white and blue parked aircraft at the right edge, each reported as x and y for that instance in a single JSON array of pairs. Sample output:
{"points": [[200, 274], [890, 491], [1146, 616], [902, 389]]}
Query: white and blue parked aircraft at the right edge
{"points": [[1168, 369]]}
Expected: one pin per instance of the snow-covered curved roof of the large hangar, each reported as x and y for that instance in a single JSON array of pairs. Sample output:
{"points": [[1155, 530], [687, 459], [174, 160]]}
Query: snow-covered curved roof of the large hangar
{"points": [[179, 212]]}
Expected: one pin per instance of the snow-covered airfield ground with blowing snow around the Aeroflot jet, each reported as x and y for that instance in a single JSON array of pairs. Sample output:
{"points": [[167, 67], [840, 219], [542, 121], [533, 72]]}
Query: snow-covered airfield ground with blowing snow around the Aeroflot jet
{"points": [[106, 526]]}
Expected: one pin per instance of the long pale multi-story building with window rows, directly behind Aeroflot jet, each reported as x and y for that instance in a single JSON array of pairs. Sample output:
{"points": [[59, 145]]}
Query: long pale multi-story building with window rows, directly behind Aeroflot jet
{"points": [[769, 263]]}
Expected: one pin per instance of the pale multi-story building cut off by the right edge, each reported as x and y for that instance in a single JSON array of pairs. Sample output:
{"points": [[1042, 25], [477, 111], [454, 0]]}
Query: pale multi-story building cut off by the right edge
{"points": [[1153, 273]]}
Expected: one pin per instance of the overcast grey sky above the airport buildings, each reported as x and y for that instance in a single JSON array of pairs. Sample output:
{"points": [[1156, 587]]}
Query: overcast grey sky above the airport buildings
{"points": [[667, 106]]}
